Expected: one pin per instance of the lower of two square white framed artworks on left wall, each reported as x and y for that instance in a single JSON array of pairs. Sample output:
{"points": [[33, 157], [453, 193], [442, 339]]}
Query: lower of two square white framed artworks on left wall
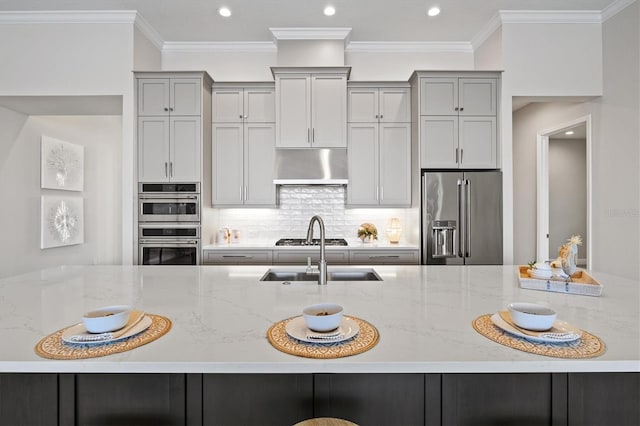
{"points": [[62, 221]]}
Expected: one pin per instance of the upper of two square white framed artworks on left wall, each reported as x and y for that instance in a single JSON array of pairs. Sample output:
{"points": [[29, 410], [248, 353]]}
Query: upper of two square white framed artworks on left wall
{"points": [[61, 165]]}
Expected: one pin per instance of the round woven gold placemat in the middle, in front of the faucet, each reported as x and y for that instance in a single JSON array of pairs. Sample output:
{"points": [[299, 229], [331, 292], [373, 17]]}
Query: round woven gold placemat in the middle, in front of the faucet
{"points": [[366, 338]]}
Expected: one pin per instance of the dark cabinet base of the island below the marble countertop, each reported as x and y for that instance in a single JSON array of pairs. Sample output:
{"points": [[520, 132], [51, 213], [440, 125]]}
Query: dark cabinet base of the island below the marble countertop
{"points": [[283, 399]]}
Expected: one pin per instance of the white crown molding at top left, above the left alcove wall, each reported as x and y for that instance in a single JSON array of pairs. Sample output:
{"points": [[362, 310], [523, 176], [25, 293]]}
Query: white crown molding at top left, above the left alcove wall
{"points": [[68, 17]]}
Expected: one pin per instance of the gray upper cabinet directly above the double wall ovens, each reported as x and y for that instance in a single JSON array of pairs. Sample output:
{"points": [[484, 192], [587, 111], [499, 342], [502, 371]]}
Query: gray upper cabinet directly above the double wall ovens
{"points": [[170, 126]]}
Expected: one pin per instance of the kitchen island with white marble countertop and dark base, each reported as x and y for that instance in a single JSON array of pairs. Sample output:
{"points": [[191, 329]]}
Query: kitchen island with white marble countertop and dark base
{"points": [[429, 367]]}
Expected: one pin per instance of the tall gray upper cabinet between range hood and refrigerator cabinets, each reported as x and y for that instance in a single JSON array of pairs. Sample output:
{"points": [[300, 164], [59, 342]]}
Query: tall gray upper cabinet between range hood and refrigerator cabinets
{"points": [[379, 151]]}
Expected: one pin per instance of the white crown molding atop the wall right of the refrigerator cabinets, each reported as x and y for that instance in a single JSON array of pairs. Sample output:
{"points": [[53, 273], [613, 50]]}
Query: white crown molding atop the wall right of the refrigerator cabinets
{"points": [[550, 16]]}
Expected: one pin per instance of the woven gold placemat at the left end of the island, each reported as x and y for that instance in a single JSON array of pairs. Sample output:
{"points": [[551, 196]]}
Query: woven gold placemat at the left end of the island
{"points": [[53, 347]]}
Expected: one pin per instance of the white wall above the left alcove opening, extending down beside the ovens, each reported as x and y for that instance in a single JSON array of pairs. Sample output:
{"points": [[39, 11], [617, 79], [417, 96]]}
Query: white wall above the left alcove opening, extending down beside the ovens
{"points": [[66, 59]]}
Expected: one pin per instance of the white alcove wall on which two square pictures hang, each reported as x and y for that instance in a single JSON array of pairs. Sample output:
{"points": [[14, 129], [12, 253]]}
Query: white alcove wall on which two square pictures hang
{"points": [[20, 188]]}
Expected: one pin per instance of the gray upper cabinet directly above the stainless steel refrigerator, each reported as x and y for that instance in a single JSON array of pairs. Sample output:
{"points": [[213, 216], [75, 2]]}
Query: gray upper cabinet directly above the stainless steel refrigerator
{"points": [[458, 120]]}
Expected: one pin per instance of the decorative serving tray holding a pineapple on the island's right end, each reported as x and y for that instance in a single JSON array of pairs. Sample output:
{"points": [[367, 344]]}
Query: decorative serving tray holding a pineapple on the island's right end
{"points": [[581, 283]]}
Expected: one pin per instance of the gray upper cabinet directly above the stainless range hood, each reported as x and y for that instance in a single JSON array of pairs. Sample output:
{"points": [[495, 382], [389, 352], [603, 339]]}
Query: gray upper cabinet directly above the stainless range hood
{"points": [[311, 107]]}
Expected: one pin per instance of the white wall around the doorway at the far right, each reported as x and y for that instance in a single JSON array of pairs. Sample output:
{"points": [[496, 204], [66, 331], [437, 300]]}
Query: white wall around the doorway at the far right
{"points": [[615, 153]]}
